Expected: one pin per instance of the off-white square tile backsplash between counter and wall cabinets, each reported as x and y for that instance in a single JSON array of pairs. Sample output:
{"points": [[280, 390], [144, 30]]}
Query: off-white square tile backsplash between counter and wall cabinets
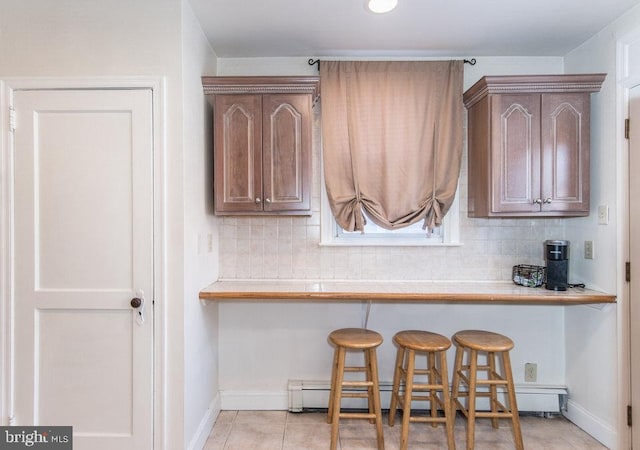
{"points": [[288, 247]]}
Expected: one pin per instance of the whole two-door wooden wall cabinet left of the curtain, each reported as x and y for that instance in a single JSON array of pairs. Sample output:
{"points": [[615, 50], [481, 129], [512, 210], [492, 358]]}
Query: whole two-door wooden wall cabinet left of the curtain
{"points": [[262, 144]]}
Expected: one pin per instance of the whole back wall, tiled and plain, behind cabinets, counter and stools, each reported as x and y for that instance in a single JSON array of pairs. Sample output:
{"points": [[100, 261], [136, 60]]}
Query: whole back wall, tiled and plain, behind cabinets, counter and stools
{"points": [[264, 345]]}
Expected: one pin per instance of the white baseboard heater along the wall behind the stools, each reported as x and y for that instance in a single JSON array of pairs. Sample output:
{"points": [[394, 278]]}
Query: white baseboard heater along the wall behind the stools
{"points": [[310, 394]]}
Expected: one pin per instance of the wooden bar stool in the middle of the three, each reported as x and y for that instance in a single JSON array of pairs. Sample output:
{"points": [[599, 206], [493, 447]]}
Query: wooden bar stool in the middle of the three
{"points": [[435, 346]]}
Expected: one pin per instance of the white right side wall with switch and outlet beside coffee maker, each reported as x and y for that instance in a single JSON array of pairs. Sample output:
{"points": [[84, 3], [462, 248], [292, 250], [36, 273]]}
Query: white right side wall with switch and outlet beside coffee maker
{"points": [[592, 335]]}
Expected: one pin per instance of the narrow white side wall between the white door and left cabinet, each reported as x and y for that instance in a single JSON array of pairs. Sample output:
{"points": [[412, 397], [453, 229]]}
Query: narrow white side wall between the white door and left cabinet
{"points": [[201, 404]]}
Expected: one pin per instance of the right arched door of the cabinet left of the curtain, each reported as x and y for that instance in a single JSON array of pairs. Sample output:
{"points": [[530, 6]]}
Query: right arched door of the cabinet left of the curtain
{"points": [[286, 152]]}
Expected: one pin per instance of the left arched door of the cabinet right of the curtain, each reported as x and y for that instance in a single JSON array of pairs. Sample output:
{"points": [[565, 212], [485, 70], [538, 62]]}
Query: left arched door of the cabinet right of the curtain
{"points": [[516, 153]]}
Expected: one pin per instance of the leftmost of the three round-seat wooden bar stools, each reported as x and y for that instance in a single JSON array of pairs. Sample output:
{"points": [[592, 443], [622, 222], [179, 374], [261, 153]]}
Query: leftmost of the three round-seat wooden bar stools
{"points": [[367, 341]]}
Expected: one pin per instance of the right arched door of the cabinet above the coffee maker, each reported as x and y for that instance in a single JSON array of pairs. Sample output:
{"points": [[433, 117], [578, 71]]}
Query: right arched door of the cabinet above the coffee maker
{"points": [[565, 158]]}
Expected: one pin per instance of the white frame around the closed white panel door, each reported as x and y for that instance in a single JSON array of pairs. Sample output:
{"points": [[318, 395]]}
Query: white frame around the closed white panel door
{"points": [[158, 87]]}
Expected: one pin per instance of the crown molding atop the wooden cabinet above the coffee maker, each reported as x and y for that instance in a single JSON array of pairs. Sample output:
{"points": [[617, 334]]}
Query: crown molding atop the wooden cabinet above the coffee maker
{"points": [[518, 84]]}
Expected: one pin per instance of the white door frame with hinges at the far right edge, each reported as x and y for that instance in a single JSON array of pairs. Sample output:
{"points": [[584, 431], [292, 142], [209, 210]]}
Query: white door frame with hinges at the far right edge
{"points": [[624, 83]]}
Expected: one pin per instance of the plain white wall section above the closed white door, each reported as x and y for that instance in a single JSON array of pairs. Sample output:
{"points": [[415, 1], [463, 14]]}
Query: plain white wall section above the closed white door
{"points": [[89, 38]]}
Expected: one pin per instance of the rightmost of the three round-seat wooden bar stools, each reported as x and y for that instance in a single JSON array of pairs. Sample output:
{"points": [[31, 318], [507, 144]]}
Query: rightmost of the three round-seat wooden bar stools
{"points": [[494, 345]]}
